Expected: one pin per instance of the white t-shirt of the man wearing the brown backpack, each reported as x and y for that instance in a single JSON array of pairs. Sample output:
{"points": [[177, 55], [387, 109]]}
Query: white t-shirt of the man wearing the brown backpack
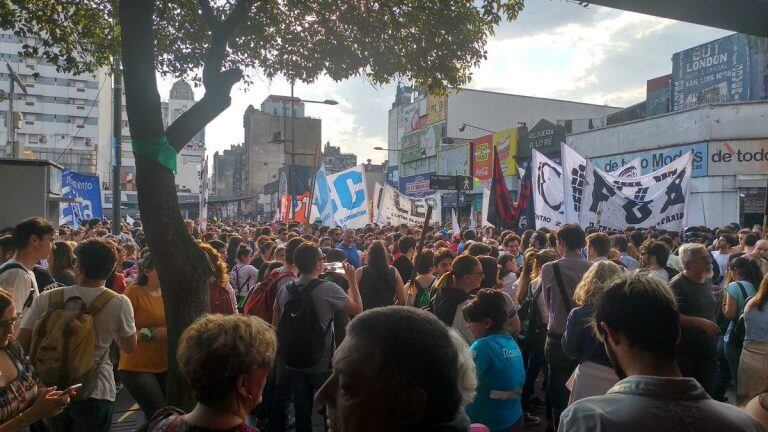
{"points": [[115, 319]]}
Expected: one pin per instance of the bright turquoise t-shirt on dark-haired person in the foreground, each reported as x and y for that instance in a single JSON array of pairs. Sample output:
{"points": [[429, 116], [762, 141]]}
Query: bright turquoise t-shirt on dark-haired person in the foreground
{"points": [[500, 369]]}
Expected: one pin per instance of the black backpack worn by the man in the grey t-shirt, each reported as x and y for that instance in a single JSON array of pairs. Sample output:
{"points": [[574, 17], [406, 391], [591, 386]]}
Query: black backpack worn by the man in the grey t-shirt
{"points": [[300, 336]]}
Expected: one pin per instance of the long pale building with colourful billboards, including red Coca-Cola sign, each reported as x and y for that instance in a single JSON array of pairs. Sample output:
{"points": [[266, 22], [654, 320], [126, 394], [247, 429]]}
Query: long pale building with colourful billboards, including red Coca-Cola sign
{"points": [[439, 134]]}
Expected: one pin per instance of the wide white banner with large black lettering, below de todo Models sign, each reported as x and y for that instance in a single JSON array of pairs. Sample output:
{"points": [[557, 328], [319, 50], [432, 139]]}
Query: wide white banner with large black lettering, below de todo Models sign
{"points": [[657, 200]]}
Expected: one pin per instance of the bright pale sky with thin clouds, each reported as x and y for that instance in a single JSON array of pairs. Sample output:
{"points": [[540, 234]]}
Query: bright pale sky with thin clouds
{"points": [[555, 49]]}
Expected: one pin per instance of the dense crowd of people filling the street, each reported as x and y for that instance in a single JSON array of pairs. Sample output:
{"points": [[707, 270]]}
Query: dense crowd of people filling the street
{"points": [[391, 328]]}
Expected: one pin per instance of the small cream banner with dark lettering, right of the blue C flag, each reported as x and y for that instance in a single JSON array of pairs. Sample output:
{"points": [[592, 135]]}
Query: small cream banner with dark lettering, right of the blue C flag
{"points": [[395, 208]]}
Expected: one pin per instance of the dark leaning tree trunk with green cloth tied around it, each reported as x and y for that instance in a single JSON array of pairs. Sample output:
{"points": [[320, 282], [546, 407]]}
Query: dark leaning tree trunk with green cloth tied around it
{"points": [[181, 266]]}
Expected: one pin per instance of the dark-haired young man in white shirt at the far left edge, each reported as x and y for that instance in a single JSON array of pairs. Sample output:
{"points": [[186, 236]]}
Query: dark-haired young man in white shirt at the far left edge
{"points": [[33, 241]]}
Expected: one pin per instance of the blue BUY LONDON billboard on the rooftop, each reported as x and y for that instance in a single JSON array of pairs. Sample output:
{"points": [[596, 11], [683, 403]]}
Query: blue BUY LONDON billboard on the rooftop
{"points": [[716, 71]]}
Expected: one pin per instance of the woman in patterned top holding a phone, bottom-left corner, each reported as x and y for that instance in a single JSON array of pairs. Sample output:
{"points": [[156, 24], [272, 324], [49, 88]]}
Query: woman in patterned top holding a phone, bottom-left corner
{"points": [[23, 398]]}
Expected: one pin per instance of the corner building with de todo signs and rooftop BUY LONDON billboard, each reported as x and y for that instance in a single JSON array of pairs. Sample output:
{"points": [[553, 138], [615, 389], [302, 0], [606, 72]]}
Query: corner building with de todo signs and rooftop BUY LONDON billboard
{"points": [[713, 104]]}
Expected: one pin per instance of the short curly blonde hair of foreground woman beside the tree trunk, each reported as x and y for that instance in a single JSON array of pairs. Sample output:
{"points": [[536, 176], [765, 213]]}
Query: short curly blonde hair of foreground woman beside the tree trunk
{"points": [[217, 349]]}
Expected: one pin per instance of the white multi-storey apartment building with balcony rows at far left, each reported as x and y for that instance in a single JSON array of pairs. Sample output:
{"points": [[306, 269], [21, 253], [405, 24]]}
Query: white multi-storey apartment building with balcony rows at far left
{"points": [[65, 118]]}
